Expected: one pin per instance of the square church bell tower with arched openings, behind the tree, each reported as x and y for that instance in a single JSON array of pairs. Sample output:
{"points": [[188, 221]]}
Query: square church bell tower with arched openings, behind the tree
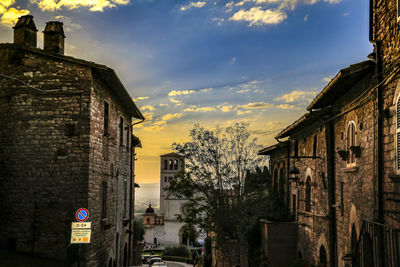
{"points": [[171, 164]]}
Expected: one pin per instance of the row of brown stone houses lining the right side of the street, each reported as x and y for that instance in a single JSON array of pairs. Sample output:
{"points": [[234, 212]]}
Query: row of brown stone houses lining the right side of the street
{"points": [[343, 178]]}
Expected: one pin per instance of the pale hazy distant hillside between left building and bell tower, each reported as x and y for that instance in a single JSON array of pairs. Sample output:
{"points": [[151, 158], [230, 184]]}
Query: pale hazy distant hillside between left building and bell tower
{"points": [[148, 193]]}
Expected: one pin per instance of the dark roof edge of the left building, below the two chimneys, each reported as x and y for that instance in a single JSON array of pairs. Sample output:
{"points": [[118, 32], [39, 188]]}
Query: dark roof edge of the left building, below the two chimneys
{"points": [[102, 72]]}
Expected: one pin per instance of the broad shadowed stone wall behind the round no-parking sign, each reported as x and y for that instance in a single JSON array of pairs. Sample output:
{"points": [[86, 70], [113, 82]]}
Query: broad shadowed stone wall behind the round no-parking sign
{"points": [[44, 151]]}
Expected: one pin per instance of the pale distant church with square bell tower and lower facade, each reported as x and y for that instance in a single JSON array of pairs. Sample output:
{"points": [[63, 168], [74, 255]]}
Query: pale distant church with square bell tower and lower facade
{"points": [[164, 228]]}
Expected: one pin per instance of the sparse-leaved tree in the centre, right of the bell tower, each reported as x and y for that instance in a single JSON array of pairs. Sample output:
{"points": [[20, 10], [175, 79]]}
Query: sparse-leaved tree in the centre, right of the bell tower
{"points": [[225, 187]]}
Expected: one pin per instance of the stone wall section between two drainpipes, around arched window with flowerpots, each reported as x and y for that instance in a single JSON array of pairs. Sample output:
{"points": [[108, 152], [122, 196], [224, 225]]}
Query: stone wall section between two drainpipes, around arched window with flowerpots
{"points": [[355, 183]]}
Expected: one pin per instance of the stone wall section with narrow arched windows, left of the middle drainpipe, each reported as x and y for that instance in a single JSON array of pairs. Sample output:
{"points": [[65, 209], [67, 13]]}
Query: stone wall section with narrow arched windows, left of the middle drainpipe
{"points": [[313, 224]]}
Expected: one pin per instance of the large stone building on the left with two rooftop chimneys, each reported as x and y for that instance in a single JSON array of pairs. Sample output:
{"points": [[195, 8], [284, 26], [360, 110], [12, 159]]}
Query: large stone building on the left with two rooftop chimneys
{"points": [[66, 142]]}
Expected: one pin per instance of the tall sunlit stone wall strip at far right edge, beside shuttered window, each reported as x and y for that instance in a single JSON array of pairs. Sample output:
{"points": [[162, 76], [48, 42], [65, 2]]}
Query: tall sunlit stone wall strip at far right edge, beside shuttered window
{"points": [[387, 32]]}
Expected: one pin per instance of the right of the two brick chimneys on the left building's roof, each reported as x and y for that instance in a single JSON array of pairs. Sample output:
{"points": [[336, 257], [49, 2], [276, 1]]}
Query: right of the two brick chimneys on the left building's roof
{"points": [[54, 37]]}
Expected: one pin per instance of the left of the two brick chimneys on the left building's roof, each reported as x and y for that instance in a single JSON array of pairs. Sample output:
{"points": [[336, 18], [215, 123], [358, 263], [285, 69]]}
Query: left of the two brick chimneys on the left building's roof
{"points": [[25, 32]]}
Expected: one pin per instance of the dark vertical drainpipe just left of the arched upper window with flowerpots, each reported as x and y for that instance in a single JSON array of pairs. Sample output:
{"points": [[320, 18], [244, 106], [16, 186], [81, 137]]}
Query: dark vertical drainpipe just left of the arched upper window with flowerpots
{"points": [[330, 145]]}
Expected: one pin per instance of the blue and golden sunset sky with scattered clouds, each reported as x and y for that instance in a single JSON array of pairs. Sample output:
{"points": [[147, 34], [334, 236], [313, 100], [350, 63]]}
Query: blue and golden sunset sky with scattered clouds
{"points": [[209, 61]]}
